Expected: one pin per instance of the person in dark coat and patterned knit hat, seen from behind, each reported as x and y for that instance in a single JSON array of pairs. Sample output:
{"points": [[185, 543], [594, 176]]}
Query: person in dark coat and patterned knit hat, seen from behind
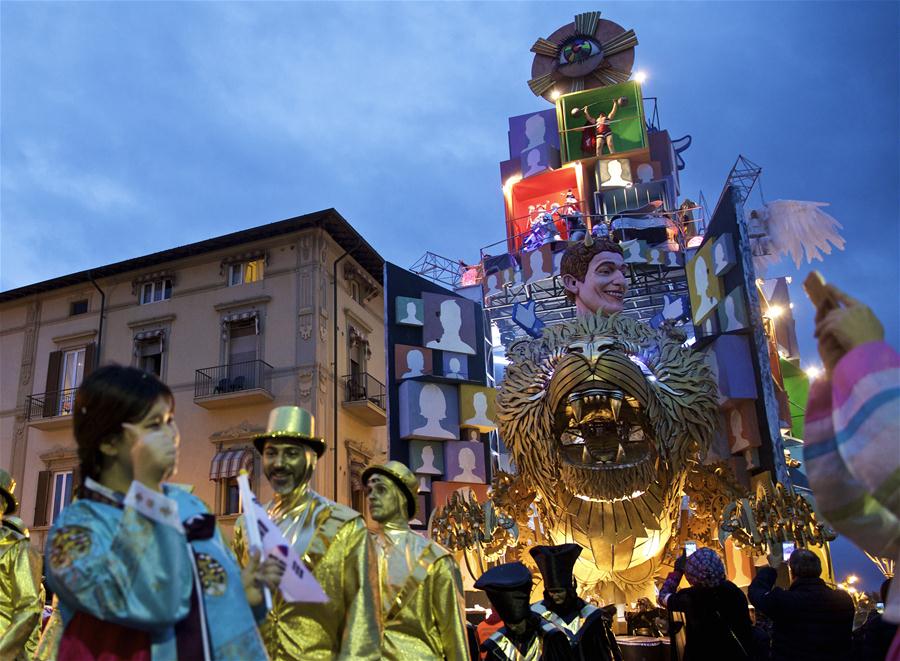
{"points": [[717, 617]]}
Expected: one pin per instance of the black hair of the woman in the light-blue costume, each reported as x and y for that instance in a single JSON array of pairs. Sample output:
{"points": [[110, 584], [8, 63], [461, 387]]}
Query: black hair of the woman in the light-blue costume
{"points": [[108, 397]]}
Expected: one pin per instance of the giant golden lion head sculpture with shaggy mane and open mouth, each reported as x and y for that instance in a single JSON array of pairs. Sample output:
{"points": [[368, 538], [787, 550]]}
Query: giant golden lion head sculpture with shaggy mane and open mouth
{"points": [[604, 415]]}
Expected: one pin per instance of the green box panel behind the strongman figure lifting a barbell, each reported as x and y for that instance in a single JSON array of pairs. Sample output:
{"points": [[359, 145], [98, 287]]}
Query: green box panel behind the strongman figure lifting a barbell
{"points": [[628, 127]]}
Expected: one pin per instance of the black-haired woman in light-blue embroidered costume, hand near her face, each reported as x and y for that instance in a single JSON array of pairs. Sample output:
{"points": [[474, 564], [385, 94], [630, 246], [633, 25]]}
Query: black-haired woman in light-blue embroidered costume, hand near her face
{"points": [[140, 568]]}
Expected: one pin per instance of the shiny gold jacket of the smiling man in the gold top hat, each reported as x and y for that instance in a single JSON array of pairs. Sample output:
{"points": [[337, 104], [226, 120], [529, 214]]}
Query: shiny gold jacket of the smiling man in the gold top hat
{"points": [[333, 541]]}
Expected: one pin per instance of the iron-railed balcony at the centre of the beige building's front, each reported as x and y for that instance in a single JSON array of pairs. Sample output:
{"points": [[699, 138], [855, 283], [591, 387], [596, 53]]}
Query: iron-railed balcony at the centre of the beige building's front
{"points": [[221, 386]]}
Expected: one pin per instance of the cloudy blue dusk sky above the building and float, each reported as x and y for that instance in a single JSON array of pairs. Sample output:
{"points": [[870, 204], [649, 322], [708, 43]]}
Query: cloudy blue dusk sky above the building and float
{"points": [[134, 127]]}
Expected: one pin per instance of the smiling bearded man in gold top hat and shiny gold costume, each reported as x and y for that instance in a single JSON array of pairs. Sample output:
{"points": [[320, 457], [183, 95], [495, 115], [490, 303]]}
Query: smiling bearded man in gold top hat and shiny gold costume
{"points": [[332, 540]]}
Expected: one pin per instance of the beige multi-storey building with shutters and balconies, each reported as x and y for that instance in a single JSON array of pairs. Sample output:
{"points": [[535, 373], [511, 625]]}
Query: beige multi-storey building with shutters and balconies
{"points": [[235, 325]]}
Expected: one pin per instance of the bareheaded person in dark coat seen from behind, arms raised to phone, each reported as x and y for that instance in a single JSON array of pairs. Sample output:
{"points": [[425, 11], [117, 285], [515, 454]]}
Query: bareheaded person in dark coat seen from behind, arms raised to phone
{"points": [[810, 620]]}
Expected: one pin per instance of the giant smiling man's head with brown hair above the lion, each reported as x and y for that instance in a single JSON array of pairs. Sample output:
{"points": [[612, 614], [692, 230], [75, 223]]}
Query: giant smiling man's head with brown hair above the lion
{"points": [[593, 273]]}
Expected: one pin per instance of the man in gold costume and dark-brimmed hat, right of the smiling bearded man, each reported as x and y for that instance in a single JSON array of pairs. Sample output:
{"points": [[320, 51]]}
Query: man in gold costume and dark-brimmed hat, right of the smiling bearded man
{"points": [[421, 589]]}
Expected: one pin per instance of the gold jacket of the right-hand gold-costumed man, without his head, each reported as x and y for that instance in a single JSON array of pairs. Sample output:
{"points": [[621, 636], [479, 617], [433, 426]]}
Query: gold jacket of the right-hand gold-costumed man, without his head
{"points": [[421, 593]]}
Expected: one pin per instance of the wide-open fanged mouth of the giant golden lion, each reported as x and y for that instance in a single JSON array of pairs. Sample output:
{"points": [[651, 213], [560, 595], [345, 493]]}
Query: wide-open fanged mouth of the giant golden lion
{"points": [[604, 443]]}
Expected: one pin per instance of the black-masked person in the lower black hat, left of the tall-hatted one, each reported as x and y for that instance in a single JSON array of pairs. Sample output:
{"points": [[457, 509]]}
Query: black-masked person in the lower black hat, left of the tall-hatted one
{"points": [[524, 634]]}
